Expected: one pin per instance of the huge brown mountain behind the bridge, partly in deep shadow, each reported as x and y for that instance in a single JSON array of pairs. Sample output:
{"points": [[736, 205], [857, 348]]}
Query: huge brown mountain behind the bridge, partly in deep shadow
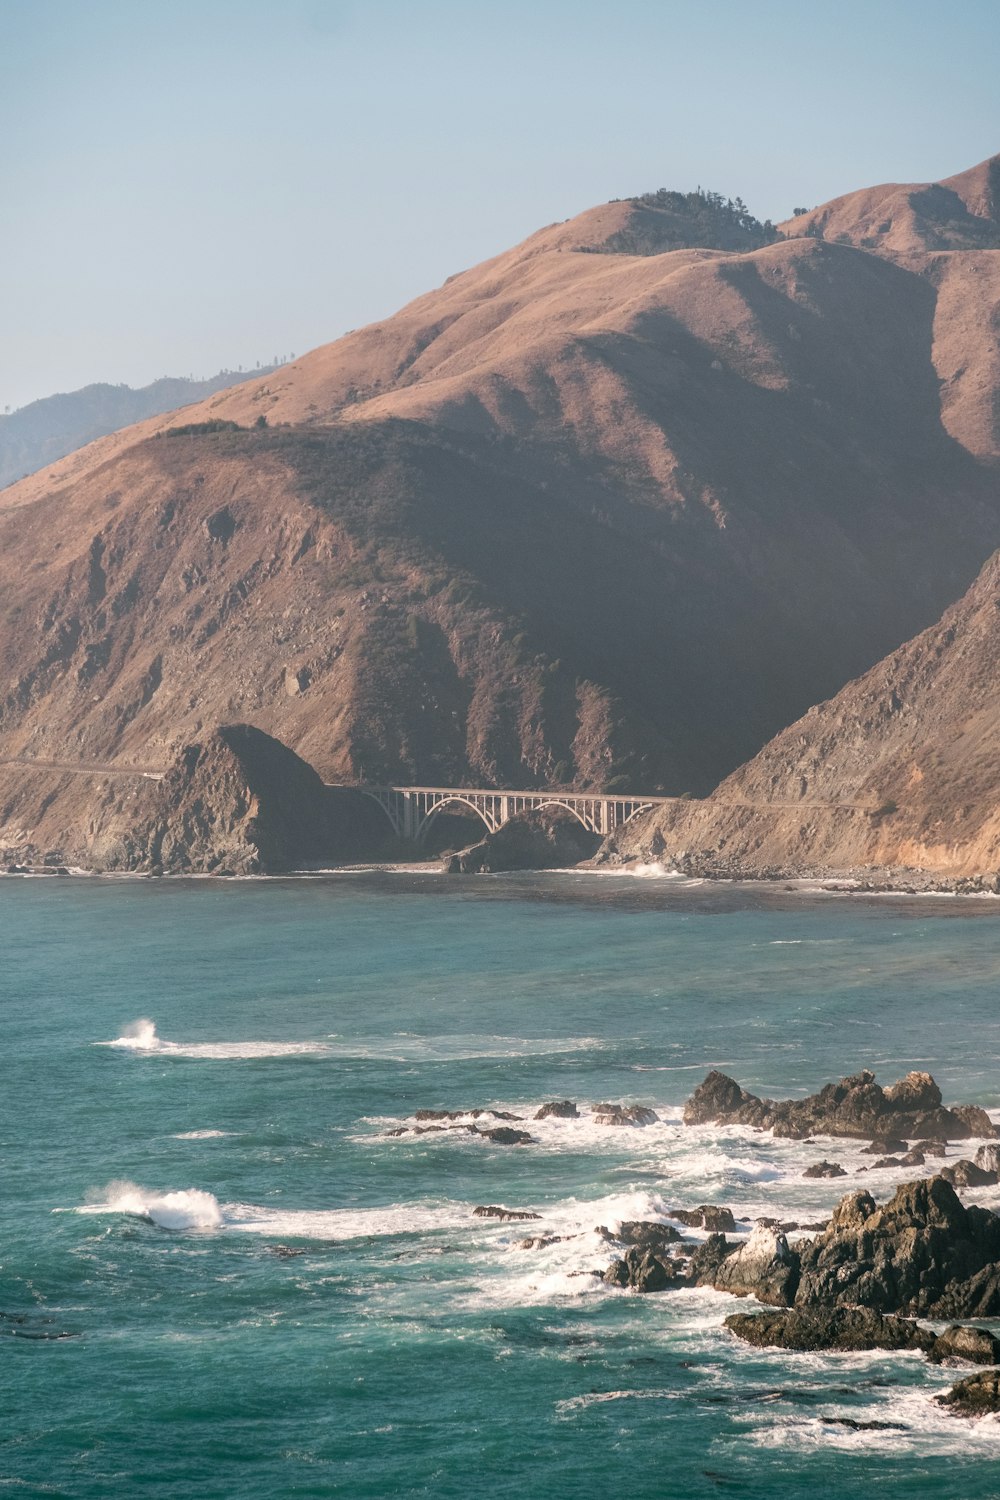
{"points": [[573, 518]]}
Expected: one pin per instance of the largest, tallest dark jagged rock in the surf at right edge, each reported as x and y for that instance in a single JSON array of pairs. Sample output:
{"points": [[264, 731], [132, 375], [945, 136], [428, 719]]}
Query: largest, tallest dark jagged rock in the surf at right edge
{"points": [[923, 1253]]}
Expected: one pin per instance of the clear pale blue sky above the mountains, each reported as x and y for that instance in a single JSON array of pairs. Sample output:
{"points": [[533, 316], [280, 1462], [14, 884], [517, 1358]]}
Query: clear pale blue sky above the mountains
{"points": [[193, 185]]}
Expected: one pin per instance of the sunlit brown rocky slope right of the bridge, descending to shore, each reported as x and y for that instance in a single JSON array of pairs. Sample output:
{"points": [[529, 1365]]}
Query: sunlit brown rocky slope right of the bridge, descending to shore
{"points": [[900, 770]]}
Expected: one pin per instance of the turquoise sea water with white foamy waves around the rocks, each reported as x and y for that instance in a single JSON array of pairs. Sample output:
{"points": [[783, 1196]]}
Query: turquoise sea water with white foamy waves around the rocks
{"points": [[266, 1294]]}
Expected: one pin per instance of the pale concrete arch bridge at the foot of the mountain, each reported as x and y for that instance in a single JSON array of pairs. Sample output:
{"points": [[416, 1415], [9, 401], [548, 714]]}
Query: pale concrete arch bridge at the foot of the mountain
{"points": [[413, 809]]}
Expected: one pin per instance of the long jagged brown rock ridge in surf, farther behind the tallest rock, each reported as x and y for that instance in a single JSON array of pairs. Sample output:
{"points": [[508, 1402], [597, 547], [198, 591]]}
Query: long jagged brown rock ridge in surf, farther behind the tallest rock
{"points": [[855, 1108]]}
